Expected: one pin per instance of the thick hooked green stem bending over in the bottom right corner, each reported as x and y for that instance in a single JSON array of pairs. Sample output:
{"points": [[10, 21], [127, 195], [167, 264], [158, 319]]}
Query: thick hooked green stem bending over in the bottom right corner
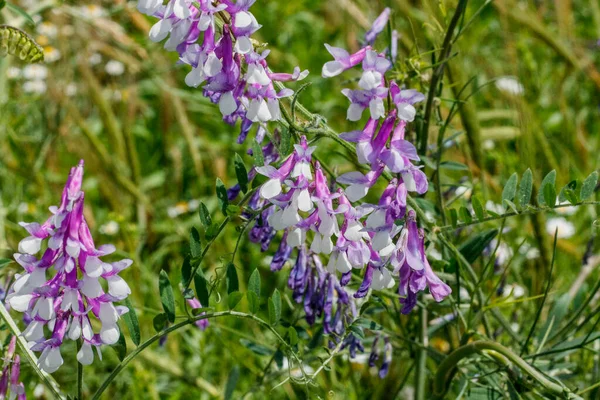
{"points": [[448, 368]]}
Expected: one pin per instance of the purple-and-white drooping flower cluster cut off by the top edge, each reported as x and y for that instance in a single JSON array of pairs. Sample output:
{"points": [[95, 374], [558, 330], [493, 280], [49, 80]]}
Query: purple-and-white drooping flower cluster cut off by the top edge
{"points": [[224, 58]]}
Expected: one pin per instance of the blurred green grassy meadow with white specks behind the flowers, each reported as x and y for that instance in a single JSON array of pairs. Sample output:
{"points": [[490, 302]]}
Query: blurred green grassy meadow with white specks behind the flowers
{"points": [[153, 149]]}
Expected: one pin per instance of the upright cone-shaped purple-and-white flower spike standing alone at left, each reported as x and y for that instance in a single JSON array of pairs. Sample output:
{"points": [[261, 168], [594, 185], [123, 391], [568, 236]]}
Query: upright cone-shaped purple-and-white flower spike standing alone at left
{"points": [[60, 291]]}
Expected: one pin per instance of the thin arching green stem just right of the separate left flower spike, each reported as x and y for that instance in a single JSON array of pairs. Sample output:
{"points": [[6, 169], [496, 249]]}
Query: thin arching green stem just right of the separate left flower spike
{"points": [[179, 325]]}
